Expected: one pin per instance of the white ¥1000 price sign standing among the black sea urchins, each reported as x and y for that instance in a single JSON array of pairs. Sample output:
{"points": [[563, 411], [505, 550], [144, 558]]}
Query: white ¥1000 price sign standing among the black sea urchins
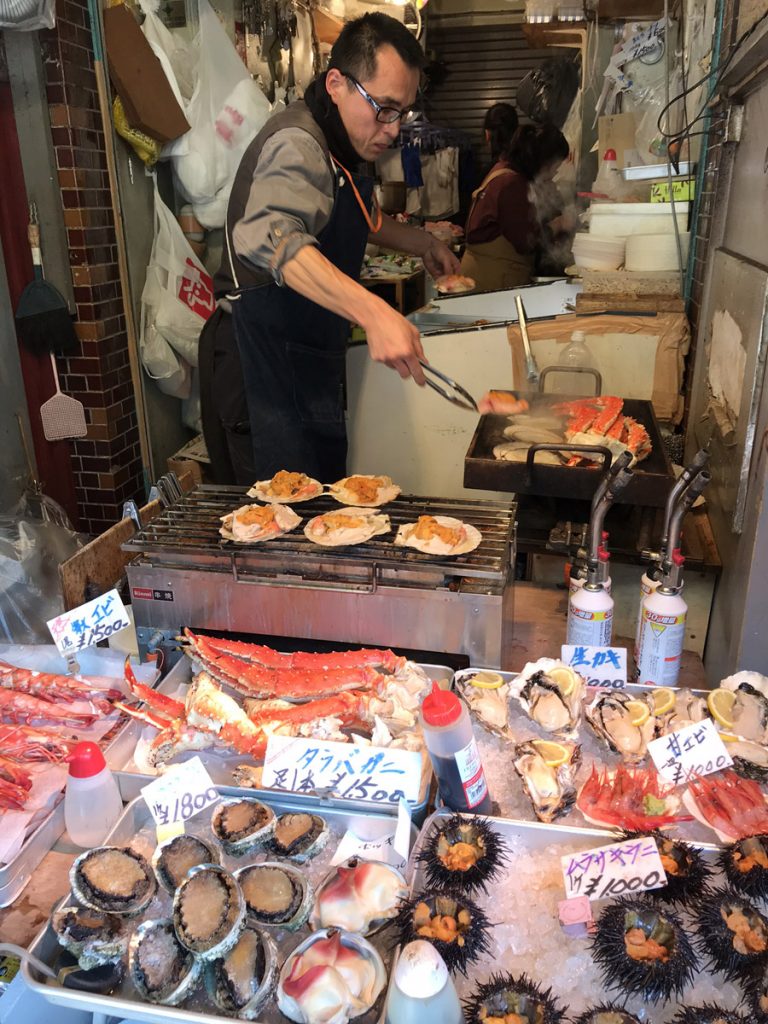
{"points": [[618, 870]]}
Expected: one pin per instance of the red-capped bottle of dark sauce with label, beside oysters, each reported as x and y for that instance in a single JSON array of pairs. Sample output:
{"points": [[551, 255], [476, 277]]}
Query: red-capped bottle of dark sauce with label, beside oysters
{"points": [[453, 750]]}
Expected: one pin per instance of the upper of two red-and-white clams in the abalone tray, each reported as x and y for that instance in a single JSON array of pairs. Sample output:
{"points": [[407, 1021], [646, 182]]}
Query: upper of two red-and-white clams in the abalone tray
{"points": [[359, 897]]}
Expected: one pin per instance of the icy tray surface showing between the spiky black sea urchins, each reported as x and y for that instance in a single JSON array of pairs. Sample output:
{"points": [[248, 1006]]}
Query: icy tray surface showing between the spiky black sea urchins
{"points": [[534, 839]]}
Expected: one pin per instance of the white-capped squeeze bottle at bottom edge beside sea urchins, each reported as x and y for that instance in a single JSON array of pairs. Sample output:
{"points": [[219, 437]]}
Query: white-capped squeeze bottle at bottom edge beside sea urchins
{"points": [[422, 992]]}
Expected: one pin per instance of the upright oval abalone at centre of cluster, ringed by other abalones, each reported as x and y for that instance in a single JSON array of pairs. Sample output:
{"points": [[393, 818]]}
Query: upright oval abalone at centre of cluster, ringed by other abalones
{"points": [[208, 912]]}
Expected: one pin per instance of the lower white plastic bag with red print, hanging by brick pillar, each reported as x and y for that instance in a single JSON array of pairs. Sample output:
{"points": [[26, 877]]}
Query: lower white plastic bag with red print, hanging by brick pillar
{"points": [[176, 304]]}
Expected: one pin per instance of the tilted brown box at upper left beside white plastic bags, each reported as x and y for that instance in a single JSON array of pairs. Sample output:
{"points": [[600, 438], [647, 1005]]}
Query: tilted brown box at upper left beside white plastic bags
{"points": [[139, 77]]}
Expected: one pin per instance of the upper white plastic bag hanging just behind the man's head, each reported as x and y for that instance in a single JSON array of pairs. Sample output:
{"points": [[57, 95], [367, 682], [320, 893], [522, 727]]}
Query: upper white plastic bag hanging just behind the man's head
{"points": [[226, 112]]}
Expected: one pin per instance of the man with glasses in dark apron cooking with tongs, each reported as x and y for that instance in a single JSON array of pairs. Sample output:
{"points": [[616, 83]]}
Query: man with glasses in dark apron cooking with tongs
{"points": [[298, 222]]}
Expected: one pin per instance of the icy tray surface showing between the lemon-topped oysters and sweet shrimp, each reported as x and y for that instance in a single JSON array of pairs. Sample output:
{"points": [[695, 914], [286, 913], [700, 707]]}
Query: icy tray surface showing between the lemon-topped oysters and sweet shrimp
{"points": [[506, 788]]}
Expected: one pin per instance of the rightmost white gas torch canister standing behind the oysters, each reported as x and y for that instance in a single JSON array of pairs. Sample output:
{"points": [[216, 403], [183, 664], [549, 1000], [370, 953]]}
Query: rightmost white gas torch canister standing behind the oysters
{"points": [[662, 637]]}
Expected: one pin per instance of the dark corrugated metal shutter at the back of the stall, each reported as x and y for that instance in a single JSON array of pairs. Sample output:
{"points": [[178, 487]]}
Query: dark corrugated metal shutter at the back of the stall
{"points": [[483, 65]]}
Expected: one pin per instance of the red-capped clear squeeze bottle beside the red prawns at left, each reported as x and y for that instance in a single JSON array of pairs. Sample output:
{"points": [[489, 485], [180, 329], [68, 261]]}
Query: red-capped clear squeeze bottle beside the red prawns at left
{"points": [[93, 801]]}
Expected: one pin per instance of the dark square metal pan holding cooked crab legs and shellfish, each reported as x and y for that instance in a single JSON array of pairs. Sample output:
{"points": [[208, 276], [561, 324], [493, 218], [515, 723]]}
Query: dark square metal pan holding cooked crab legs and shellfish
{"points": [[651, 485]]}
